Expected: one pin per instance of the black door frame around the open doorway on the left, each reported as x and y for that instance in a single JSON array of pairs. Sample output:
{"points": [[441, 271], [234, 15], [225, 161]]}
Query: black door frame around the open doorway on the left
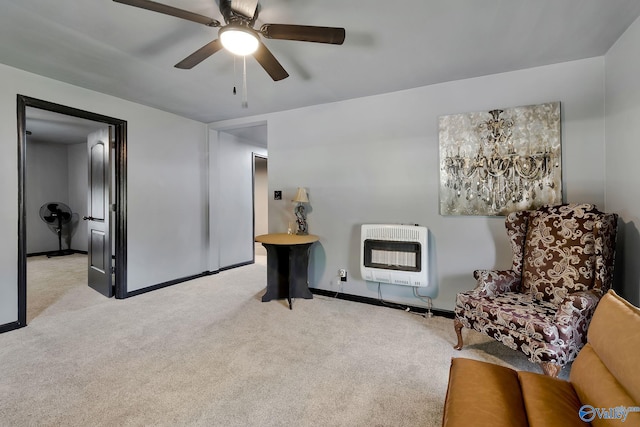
{"points": [[120, 223]]}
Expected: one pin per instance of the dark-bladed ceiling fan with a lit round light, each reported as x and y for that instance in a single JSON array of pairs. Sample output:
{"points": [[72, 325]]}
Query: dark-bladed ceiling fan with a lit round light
{"points": [[239, 36]]}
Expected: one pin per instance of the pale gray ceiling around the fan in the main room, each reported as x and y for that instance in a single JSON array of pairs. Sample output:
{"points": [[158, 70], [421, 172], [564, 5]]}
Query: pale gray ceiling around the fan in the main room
{"points": [[130, 53]]}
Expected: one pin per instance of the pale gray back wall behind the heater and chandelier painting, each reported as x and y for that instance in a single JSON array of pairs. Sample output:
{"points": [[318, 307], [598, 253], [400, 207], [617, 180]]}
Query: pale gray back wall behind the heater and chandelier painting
{"points": [[375, 159]]}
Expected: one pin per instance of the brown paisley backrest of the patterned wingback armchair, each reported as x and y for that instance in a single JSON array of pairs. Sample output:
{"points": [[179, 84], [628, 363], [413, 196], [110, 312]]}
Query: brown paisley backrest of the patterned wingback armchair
{"points": [[559, 251]]}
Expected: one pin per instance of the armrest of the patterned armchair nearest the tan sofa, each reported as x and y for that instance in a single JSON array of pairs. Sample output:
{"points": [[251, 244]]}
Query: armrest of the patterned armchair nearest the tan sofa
{"points": [[574, 316]]}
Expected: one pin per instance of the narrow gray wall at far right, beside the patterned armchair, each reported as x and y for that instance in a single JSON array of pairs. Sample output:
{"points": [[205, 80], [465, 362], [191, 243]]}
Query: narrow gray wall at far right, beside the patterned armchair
{"points": [[622, 154]]}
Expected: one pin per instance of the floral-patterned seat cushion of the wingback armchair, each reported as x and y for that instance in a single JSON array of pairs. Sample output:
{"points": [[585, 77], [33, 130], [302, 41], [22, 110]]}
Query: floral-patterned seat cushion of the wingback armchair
{"points": [[514, 311]]}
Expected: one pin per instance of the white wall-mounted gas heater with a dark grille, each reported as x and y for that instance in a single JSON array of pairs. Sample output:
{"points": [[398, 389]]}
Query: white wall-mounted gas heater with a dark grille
{"points": [[396, 254]]}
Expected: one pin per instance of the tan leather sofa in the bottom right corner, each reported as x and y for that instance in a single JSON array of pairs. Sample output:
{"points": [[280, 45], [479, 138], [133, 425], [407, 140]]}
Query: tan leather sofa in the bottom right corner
{"points": [[603, 386]]}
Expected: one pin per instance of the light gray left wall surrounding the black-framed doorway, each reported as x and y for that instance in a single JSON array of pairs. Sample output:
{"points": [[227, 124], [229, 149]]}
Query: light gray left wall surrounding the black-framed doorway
{"points": [[167, 216]]}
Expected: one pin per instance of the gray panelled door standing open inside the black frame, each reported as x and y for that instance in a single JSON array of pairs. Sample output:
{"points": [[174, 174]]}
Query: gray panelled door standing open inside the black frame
{"points": [[98, 219]]}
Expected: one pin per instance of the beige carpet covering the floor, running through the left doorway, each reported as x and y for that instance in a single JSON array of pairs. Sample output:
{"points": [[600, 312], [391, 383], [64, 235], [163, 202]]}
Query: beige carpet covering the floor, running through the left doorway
{"points": [[210, 353]]}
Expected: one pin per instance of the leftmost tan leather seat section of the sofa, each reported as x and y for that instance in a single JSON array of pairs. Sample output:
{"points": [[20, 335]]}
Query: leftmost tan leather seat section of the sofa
{"points": [[483, 394]]}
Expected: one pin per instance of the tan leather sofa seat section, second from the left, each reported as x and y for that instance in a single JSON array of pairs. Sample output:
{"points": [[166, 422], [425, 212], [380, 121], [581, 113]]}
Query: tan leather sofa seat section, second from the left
{"points": [[549, 401]]}
